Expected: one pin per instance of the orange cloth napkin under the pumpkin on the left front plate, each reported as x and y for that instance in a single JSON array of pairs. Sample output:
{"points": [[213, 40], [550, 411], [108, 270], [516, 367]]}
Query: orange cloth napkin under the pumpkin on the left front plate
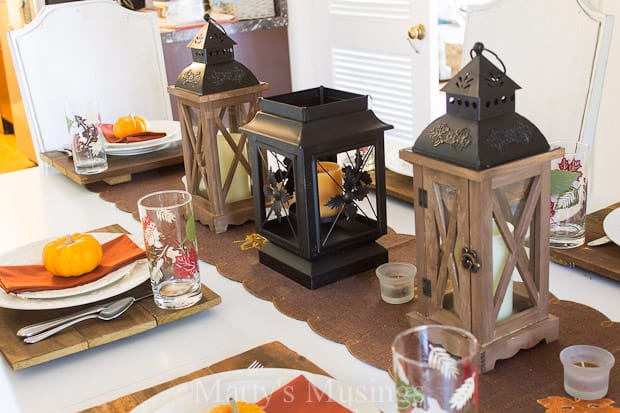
{"points": [[116, 253]]}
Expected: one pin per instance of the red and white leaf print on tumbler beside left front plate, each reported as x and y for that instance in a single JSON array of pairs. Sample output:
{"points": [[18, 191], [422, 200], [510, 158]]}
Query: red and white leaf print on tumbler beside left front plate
{"points": [[165, 253]]}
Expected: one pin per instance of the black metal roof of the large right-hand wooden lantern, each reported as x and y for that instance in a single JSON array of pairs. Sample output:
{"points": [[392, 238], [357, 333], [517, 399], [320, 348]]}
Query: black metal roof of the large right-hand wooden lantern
{"points": [[481, 128]]}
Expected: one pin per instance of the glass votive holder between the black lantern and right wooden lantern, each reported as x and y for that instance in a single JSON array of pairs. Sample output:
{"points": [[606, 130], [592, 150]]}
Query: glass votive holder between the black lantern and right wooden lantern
{"points": [[396, 280]]}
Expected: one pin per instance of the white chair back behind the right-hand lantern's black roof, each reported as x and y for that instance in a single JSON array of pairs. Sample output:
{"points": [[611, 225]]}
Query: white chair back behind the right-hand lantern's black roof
{"points": [[556, 50]]}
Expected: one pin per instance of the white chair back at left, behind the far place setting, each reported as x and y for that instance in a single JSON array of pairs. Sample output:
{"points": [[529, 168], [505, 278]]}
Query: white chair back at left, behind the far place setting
{"points": [[88, 50]]}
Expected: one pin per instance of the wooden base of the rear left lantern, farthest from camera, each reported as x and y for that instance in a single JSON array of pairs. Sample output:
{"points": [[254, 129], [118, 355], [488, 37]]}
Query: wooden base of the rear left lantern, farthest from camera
{"points": [[235, 213]]}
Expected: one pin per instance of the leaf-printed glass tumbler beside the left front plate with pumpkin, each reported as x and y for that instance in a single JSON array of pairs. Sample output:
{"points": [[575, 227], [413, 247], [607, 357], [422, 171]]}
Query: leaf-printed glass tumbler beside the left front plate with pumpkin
{"points": [[169, 232]]}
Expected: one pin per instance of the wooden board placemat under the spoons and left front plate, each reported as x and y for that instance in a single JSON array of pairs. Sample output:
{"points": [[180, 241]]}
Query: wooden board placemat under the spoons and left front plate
{"points": [[141, 316]]}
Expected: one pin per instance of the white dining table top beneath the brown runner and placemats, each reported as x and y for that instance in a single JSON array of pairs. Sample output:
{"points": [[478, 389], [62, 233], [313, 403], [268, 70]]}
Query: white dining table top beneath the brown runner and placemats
{"points": [[40, 203]]}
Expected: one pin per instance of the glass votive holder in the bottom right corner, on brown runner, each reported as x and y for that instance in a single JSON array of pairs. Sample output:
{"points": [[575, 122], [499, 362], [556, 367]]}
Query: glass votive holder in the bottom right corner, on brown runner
{"points": [[586, 371]]}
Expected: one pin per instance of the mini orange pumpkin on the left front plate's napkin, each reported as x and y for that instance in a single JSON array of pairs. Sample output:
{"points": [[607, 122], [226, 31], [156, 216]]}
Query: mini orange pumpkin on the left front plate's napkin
{"points": [[73, 255]]}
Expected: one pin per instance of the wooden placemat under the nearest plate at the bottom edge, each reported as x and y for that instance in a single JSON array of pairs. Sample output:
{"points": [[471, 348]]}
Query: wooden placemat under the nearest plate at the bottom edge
{"points": [[274, 354]]}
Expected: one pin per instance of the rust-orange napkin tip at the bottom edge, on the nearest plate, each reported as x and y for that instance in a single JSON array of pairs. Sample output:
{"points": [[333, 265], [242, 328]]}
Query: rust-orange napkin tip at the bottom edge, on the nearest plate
{"points": [[300, 396]]}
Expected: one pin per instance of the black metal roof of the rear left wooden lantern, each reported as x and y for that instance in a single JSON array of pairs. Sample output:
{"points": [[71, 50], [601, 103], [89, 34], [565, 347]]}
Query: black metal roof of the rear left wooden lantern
{"points": [[214, 68]]}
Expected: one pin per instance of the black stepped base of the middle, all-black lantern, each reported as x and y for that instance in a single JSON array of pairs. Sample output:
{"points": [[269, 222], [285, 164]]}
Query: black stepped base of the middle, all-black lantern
{"points": [[327, 269]]}
